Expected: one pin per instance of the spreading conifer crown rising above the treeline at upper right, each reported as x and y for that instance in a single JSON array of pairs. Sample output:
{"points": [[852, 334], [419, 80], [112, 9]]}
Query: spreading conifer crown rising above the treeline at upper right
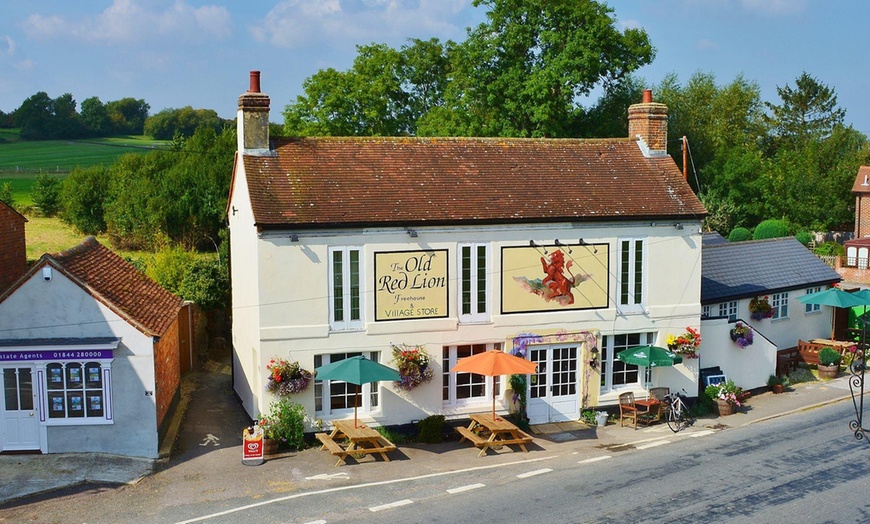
{"points": [[808, 112]]}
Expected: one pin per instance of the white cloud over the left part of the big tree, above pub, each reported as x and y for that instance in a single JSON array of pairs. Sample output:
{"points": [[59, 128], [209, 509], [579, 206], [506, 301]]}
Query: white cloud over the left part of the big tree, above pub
{"points": [[343, 23]]}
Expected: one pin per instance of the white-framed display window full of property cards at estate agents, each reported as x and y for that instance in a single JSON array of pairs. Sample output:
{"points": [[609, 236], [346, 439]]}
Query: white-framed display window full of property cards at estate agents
{"points": [[78, 392]]}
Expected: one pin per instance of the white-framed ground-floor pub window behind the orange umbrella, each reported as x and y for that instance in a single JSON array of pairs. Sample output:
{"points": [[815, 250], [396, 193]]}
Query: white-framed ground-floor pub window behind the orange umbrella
{"points": [[466, 389]]}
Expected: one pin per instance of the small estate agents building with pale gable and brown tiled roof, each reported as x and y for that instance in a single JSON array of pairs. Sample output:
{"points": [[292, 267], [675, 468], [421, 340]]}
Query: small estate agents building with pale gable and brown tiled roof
{"points": [[89, 354]]}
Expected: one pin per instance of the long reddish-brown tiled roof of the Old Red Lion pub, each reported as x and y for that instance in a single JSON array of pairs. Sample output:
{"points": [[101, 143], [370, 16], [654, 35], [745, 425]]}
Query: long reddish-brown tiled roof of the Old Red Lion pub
{"points": [[358, 181]]}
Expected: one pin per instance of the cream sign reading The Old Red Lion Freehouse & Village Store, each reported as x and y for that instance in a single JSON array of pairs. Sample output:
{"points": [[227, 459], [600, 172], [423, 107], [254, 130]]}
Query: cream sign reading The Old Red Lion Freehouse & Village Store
{"points": [[410, 284]]}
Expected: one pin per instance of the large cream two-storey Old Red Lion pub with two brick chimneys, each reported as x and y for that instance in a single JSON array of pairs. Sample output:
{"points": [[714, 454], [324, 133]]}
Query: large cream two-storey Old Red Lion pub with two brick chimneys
{"points": [[563, 251]]}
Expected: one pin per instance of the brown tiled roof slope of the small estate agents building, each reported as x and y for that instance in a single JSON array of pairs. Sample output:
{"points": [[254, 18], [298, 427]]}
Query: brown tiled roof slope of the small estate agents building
{"points": [[120, 286]]}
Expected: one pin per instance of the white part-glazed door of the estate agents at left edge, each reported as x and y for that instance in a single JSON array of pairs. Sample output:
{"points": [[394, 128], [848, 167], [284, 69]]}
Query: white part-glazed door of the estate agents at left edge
{"points": [[19, 424]]}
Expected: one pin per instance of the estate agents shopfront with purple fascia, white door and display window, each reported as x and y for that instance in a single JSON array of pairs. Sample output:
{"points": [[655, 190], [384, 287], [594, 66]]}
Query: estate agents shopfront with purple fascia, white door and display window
{"points": [[53, 383]]}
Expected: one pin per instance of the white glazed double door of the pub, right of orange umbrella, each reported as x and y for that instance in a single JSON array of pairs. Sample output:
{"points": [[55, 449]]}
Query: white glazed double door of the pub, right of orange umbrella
{"points": [[553, 390]]}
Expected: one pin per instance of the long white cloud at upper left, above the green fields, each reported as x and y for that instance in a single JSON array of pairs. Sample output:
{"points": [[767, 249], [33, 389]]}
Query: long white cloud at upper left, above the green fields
{"points": [[133, 21]]}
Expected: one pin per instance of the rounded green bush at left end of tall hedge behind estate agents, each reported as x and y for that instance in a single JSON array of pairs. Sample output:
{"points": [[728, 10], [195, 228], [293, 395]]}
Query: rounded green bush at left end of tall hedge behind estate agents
{"points": [[83, 195]]}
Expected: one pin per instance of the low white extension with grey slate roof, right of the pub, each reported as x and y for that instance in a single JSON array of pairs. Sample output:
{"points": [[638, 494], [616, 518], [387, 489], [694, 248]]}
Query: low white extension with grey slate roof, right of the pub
{"points": [[737, 279]]}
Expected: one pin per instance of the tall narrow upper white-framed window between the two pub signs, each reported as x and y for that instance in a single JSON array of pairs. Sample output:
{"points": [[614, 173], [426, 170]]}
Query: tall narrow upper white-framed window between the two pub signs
{"points": [[473, 287]]}
